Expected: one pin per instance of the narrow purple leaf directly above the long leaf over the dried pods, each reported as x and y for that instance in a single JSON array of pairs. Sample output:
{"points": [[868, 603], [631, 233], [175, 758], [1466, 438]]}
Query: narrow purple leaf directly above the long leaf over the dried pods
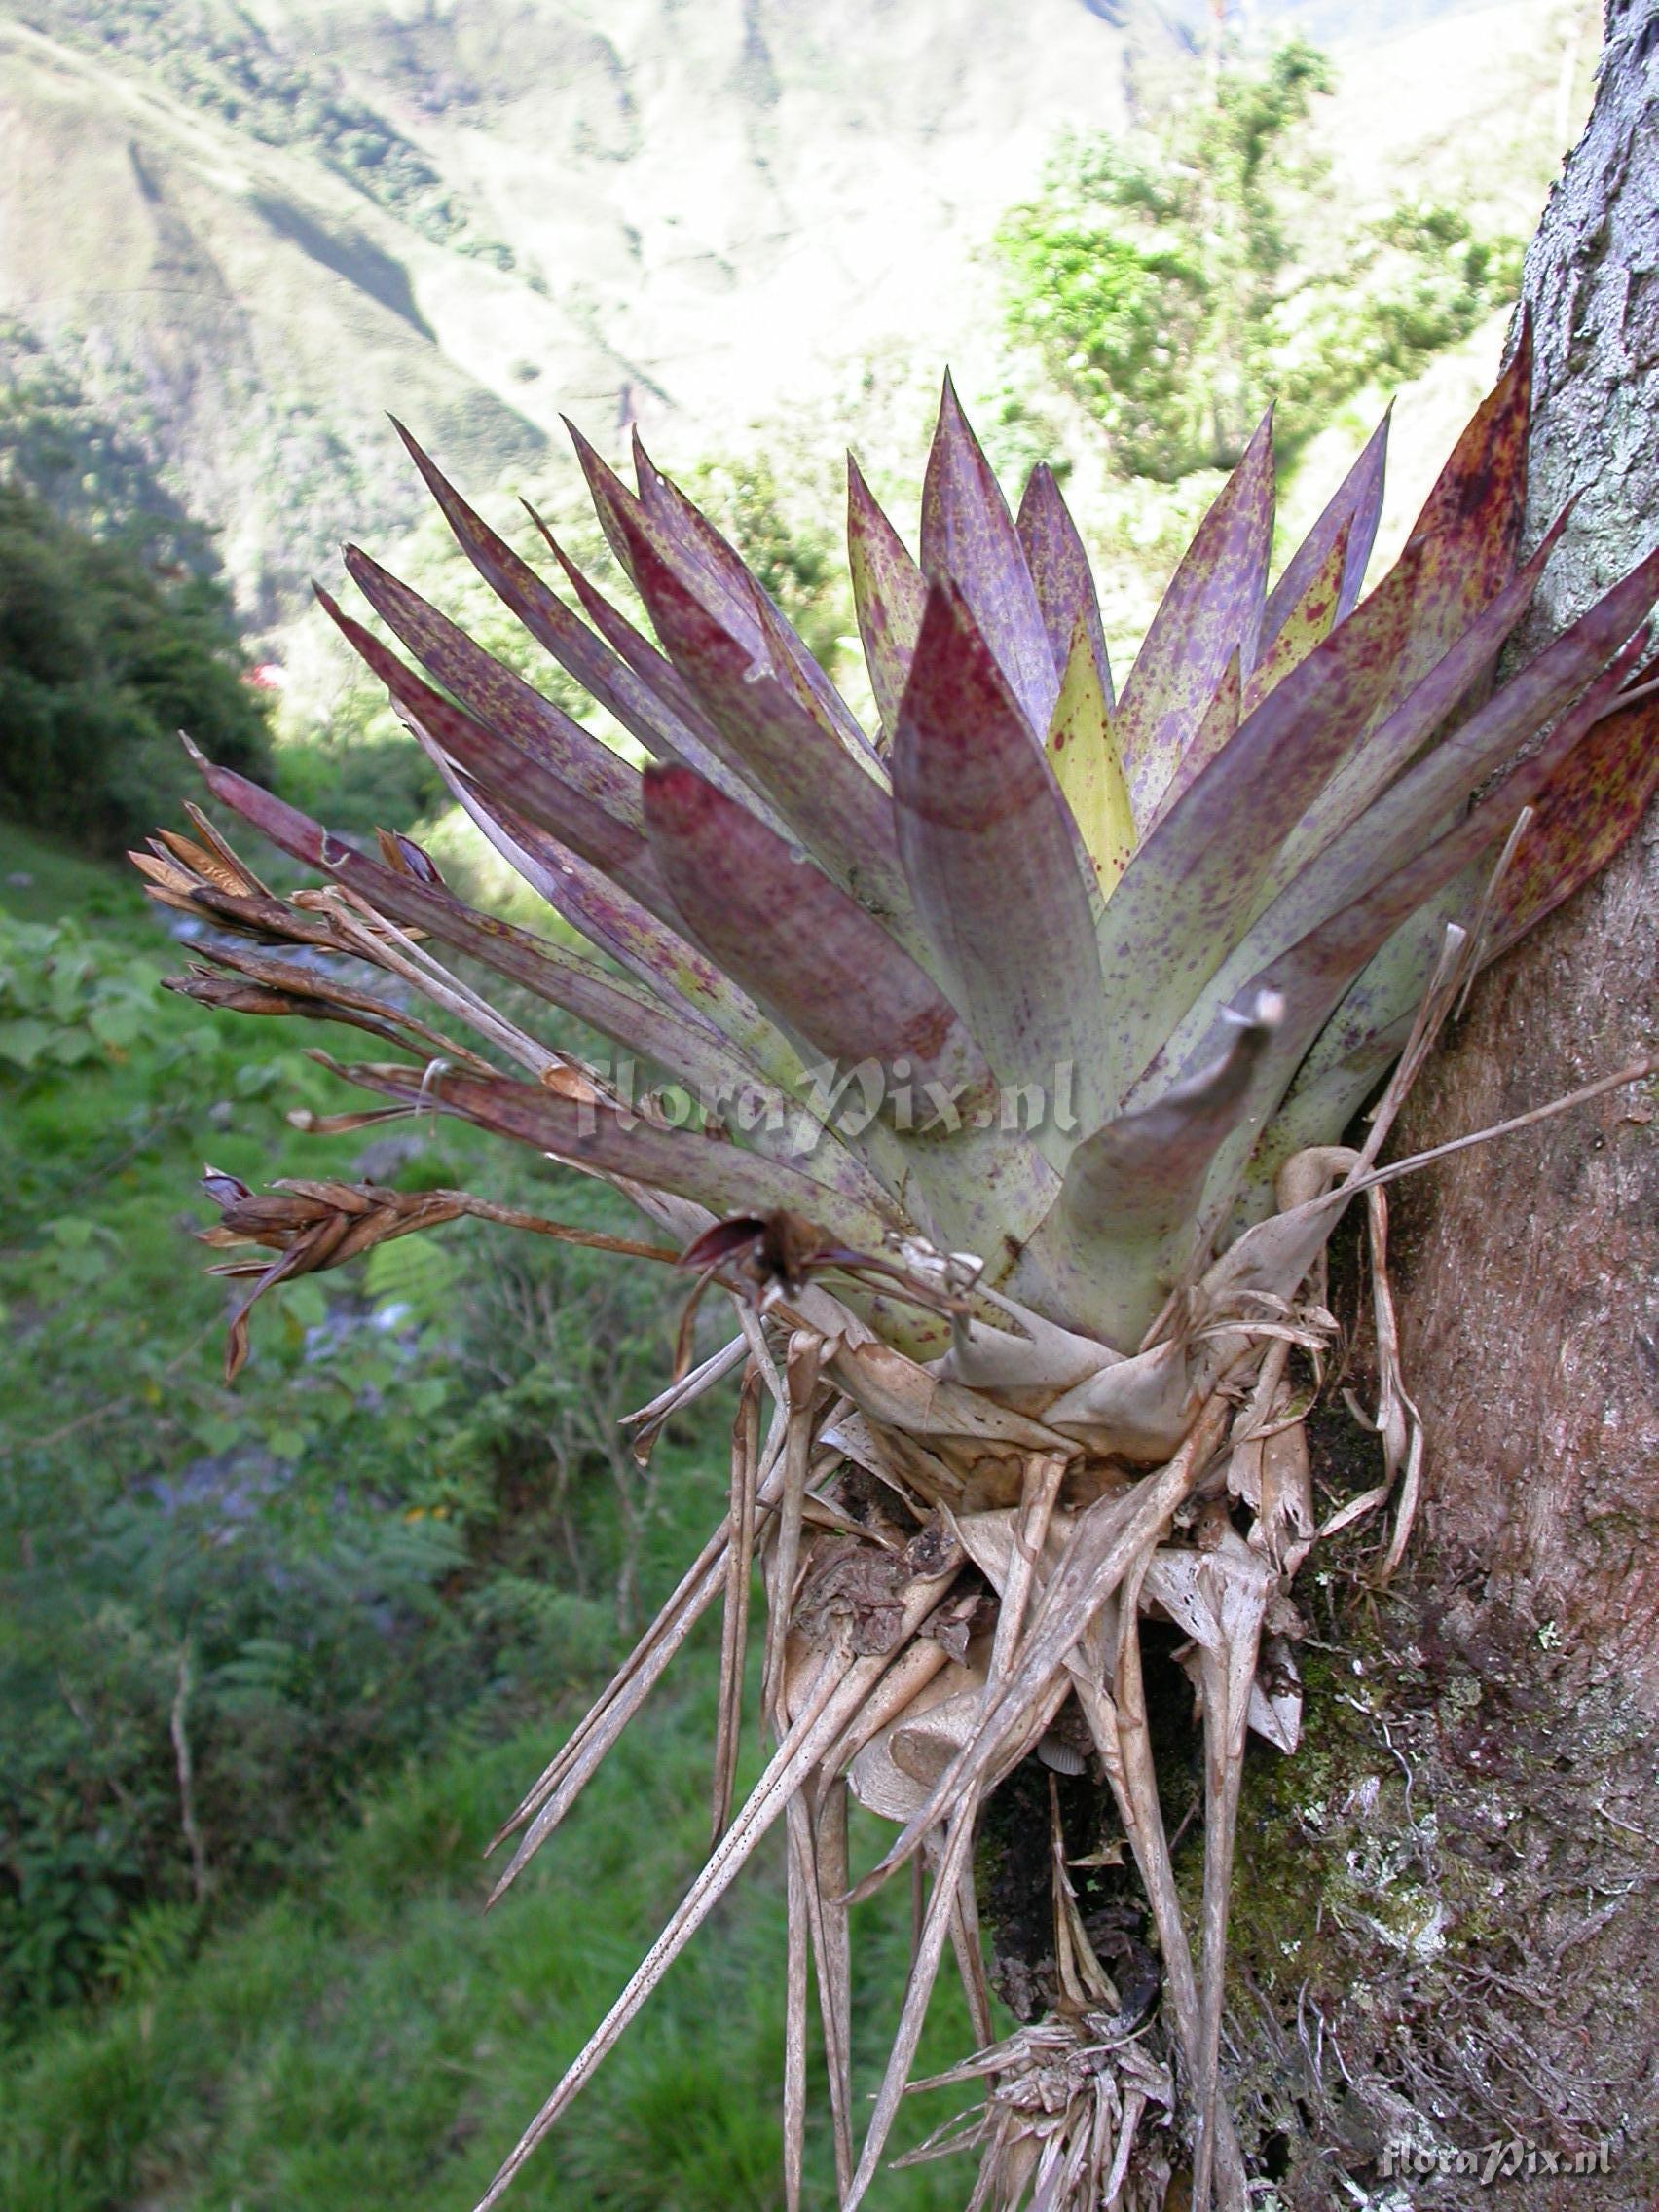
{"points": [[503, 769]]}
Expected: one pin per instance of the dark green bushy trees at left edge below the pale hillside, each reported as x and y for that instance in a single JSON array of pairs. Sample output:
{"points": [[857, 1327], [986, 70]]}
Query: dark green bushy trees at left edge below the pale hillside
{"points": [[105, 656]]}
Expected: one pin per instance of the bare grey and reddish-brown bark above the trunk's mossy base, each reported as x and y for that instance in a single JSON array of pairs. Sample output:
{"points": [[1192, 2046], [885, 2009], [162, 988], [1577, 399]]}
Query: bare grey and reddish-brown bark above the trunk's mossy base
{"points": [[1532, 1295]]}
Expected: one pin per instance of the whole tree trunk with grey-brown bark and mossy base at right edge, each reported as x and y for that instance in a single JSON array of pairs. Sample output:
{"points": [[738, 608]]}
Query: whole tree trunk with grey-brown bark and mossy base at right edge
{"points": [[1446, 1901]]}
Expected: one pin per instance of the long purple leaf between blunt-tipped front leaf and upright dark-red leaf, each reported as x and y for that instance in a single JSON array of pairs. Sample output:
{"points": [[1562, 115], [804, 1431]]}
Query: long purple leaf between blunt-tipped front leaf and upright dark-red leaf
{"points": [[835, 806]]}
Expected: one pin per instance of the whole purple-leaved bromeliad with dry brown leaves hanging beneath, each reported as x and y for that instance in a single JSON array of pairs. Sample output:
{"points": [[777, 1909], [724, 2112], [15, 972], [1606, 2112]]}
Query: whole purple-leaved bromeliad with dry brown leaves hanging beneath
{"points": [[1025, 1032]]}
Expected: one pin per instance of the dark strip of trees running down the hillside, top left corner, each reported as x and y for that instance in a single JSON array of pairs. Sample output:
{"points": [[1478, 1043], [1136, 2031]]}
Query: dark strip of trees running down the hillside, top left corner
{"points": [[244, 79]]}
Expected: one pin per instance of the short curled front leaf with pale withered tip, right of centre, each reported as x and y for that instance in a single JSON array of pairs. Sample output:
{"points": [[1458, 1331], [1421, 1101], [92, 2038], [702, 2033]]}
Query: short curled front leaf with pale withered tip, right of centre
{"points": [[1123, 1231]]}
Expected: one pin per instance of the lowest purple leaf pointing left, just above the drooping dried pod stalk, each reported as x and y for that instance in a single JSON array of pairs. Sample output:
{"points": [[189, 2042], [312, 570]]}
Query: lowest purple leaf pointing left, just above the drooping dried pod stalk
{"points": [[713, 1173]]}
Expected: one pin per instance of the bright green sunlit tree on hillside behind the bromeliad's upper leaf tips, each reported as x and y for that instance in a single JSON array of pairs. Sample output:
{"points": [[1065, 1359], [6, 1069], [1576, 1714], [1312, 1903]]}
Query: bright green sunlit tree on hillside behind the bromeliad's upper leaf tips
{"points": [[1182, 280]]}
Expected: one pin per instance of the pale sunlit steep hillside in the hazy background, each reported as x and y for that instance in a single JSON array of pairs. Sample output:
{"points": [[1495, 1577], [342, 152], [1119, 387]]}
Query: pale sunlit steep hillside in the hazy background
{"points": [[249, 231]]}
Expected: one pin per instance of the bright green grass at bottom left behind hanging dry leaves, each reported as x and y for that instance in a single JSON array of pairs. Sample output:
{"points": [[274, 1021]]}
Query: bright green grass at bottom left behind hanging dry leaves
{"points": [[377, 2041]]}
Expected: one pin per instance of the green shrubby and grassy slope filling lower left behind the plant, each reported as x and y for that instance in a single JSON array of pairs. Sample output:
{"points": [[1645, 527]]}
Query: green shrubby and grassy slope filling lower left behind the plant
{"points": [[368, 1589]]}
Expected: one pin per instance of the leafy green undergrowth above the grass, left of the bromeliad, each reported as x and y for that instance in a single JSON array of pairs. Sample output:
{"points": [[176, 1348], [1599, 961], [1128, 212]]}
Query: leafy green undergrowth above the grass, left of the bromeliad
{"points": [[371, 1545]]}
